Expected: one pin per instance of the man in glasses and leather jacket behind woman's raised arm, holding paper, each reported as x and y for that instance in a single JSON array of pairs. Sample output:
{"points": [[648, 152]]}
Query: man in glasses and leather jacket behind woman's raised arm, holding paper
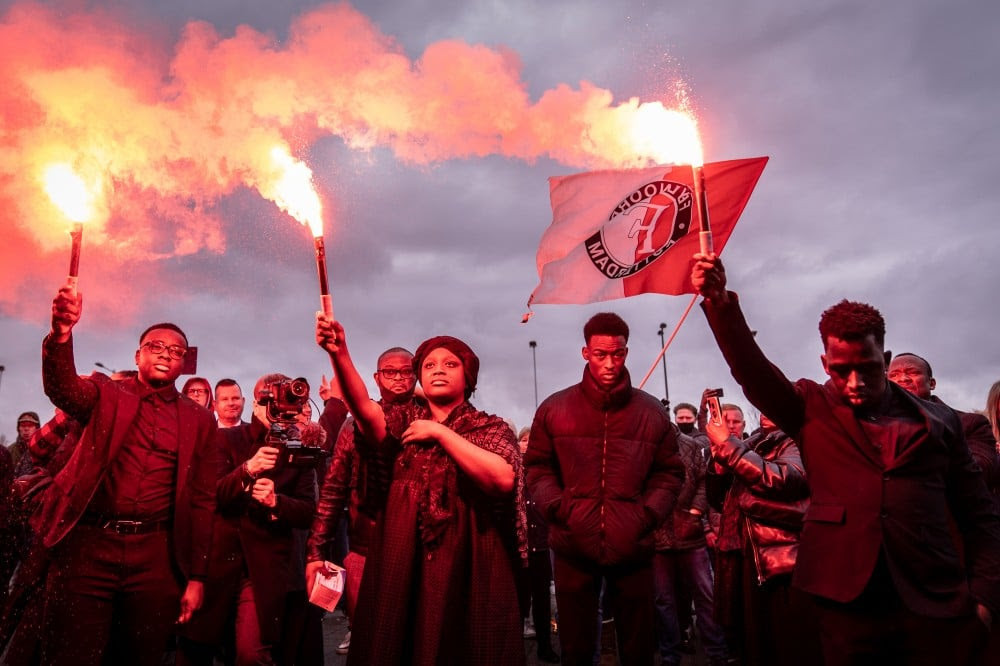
{"points": [[350, 483]]}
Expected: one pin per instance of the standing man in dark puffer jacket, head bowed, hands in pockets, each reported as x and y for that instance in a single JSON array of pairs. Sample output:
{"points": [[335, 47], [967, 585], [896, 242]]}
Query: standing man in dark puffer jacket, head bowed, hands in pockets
{"points": [[602, 465]]}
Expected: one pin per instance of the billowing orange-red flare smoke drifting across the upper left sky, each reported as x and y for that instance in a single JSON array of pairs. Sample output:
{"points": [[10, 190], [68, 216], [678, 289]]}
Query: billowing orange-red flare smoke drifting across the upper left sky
{"points": [[170, 131]]}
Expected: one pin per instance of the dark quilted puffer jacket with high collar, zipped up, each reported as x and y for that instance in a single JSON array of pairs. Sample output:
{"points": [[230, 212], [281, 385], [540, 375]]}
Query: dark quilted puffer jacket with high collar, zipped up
{"points": [[603, 466]]}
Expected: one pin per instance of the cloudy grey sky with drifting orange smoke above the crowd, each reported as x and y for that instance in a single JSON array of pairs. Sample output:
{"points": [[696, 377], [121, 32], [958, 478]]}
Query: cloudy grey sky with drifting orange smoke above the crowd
{"points": [[879, 120]]}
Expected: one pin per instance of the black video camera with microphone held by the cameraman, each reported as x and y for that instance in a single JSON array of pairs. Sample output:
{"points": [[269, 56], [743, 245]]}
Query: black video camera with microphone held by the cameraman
{"points": [[284, 400]]}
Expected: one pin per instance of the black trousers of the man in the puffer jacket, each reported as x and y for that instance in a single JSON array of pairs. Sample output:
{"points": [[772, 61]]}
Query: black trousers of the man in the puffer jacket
{"points": [[629, 596]]}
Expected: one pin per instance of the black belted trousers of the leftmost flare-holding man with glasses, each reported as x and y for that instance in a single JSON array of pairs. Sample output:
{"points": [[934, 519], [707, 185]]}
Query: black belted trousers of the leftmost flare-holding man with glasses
{"points": [[105, 589]]}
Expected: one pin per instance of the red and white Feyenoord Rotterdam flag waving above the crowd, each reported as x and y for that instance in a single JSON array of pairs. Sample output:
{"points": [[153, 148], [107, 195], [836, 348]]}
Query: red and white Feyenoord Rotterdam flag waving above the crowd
{"points": [[626, 232]]}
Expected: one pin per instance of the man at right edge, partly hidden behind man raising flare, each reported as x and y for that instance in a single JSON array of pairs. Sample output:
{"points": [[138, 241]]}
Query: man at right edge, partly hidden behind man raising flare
{"points": [[913, 373]]}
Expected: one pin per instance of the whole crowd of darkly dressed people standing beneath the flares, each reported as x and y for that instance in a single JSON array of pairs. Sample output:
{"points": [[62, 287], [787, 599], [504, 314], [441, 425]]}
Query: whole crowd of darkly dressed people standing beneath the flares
{"points": [[858, 524]]}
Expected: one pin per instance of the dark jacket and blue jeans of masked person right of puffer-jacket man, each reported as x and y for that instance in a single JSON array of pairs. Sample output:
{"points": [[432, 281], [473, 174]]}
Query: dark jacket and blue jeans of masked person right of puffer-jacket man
{"points": [[682, 570]]}
